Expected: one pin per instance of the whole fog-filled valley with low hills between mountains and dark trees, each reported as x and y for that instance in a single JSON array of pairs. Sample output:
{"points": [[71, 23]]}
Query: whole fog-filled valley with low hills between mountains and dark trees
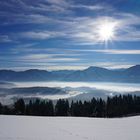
{"points": [[10, 91]]}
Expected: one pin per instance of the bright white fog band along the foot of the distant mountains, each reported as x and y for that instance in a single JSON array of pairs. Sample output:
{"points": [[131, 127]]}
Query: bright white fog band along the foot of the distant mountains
{"points": [[114, 87]]}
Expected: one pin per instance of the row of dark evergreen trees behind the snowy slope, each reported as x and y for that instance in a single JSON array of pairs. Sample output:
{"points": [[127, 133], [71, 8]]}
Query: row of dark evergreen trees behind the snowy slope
{"points": [[116, 106]]}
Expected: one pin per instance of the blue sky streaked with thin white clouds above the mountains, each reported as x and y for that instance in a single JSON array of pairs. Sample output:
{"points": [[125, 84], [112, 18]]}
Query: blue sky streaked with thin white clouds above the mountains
{"points": [[65, 34]]}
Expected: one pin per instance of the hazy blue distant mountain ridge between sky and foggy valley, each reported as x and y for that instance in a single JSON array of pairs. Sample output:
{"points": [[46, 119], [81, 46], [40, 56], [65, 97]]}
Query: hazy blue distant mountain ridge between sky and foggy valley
{"points": [[100, 74]]}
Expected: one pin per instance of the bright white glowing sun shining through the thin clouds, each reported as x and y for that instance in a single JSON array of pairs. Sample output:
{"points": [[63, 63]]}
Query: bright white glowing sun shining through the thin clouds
{"points": [[106, 31]]}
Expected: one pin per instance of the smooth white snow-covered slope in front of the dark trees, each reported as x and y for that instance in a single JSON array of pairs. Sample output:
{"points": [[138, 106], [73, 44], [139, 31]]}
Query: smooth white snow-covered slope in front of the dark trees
{"points": [[68, 128]]}
